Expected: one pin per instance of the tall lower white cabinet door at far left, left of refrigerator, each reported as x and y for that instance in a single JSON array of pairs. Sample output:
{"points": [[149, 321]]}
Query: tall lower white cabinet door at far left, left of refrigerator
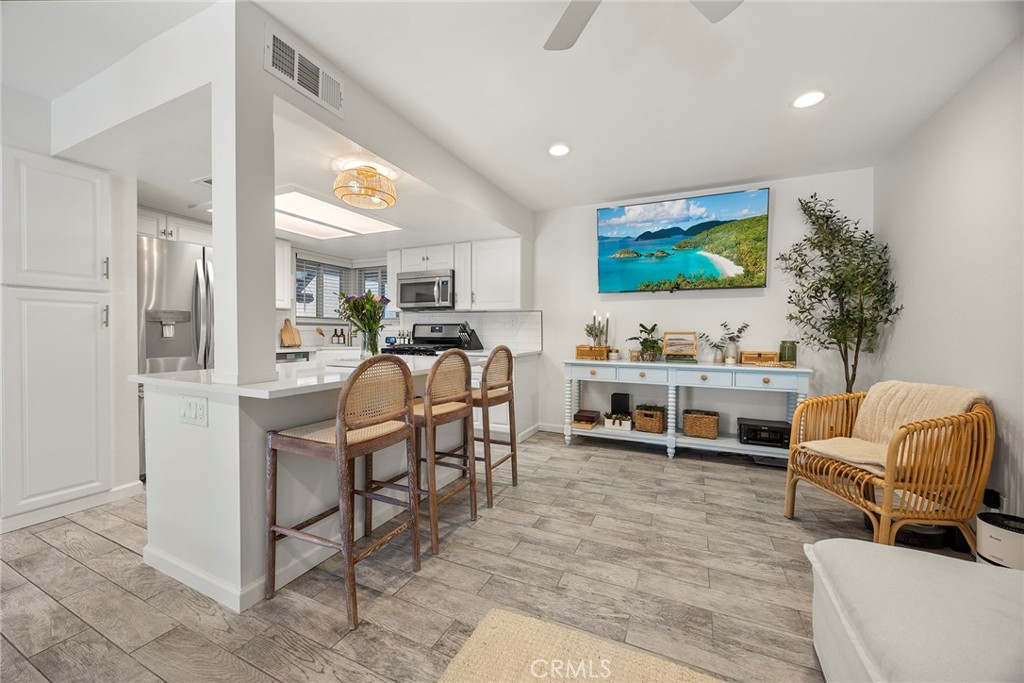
{"points": [[57, 398]]}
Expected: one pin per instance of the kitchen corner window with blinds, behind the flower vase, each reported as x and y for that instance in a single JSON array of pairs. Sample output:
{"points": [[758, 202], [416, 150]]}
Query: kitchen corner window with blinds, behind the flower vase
{"points": [[318, 286]]}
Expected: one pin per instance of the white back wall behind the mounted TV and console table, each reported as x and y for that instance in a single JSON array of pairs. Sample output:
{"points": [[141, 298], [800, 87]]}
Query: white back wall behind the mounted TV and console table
{"points": [[566, 286]]}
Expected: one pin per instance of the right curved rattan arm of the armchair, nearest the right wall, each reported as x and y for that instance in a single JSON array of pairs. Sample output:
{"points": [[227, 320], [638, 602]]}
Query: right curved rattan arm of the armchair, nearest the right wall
{"points": [[943, 465]]}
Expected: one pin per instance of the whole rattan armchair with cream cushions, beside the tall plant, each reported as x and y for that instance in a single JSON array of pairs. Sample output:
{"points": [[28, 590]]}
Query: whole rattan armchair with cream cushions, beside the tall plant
{"points": [[930, 469]]}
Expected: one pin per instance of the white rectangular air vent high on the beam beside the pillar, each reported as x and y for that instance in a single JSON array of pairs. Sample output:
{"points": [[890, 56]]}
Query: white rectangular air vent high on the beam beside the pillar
{"points": [[301, 68]]}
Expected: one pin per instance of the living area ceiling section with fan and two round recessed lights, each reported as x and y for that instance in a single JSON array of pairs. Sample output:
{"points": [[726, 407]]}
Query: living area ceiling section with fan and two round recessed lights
{"points": [[654, 99]]}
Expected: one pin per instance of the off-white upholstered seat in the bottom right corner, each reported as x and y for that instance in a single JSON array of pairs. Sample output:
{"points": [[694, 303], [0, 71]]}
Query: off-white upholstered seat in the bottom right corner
{"points": [[889, 614]]}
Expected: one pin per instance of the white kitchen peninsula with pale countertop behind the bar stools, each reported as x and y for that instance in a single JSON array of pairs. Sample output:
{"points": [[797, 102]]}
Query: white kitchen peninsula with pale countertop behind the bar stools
{"points": [[206, 498]]}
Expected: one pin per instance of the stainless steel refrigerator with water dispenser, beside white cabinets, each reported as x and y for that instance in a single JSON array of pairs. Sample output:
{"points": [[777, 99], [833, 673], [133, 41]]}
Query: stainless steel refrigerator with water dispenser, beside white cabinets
{"points": [[176, 313]]}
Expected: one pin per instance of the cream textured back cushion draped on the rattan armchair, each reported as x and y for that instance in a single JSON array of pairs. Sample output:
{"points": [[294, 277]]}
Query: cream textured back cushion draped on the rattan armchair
{"points": [[890, 405]]}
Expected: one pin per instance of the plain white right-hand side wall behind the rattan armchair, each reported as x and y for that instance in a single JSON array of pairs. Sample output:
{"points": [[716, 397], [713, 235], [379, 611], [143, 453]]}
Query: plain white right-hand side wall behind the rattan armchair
{"points": [[950, 203]]}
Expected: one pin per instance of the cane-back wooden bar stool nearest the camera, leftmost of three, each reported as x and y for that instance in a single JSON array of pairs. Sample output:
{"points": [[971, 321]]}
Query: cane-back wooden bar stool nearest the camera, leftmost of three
{"points": [[375, 411]]}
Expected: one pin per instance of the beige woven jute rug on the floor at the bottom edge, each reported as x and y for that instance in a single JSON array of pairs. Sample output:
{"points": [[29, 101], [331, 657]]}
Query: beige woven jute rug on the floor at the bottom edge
{"points": [[508, 648]]}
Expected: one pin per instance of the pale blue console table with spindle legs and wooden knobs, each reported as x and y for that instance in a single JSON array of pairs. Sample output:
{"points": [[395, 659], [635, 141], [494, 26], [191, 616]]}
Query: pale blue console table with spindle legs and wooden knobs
{"points": [[792, 381]]}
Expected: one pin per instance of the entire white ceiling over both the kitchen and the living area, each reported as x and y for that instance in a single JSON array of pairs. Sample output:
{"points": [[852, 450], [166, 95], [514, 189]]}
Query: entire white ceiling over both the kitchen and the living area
{"points": [[653, 99]]}
